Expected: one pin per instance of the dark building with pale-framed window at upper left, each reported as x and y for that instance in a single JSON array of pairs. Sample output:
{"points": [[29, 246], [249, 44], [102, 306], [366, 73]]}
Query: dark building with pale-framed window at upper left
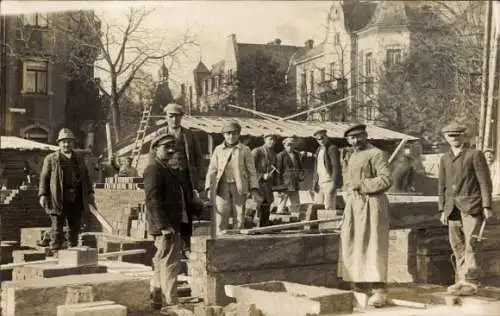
{"points": [[49, 71]]}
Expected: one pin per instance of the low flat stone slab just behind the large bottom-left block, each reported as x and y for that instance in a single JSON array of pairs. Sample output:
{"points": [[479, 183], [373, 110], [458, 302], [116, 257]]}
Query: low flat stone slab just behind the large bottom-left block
{"points": [[52, 270]]}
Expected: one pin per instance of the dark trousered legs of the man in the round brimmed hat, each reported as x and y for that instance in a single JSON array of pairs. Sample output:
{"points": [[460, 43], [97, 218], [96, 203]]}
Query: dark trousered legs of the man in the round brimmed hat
{"points": [[72, 214]]}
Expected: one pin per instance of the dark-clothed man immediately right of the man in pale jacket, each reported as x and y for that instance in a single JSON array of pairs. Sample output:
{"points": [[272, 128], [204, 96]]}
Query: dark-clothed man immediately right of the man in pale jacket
{"points": [[265, 164]]}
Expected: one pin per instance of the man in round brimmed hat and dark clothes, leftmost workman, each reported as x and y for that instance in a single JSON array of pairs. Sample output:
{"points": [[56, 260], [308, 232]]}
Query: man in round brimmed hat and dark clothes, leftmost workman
{"points": [[65, 190]]}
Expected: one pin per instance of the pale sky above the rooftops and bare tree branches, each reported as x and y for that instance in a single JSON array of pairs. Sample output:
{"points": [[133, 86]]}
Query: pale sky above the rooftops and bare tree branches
{"points": [[208, 22]]}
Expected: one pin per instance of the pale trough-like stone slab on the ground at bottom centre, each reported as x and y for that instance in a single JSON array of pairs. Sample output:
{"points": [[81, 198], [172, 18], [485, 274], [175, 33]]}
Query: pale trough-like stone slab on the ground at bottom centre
{"points": [[277, 298]]}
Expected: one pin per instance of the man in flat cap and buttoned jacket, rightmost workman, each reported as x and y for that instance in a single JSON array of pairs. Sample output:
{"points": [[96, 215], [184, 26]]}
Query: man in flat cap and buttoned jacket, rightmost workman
{"points": [[465, 191]]}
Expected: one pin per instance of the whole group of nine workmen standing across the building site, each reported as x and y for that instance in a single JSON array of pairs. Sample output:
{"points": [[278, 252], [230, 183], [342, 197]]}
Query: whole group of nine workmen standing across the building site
{"points": [[173, 187]]}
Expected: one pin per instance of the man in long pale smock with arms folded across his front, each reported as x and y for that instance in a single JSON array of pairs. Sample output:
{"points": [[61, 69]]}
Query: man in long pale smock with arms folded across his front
{"points": [[365, 228]]}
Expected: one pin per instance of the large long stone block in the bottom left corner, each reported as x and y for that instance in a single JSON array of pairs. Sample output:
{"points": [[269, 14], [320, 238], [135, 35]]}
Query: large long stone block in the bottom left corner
{"points": [[41, 297]]}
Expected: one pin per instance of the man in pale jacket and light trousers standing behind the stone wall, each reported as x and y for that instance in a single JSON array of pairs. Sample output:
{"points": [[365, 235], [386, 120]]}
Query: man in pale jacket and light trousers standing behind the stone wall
{"points": [[231, 177]]}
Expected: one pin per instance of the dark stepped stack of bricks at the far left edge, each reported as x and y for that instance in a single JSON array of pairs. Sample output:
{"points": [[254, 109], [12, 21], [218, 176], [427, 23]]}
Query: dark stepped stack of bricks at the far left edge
{"points": [[22, 211]]}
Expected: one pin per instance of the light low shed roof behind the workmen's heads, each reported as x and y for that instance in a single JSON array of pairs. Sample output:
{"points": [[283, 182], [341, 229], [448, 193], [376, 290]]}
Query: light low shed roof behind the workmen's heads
{"points": [[259, 127]]}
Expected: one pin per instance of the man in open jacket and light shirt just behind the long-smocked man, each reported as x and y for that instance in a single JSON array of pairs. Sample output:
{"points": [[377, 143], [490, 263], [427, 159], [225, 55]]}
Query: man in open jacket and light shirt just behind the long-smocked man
{"points": [[327, 177]]}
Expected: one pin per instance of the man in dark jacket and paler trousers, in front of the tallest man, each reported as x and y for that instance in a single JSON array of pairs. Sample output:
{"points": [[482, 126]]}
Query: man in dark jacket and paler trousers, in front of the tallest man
{"points": [[170, 207]]}
